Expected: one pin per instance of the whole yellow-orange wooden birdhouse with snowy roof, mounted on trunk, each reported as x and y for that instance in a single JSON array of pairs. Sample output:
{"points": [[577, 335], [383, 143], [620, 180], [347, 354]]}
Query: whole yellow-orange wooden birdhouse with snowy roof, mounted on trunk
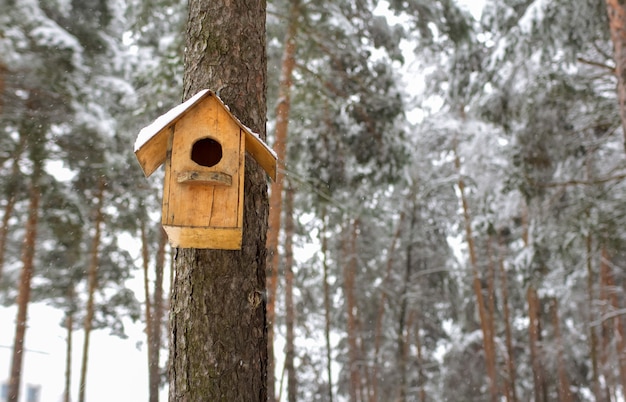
{"points": [[203, 147]]}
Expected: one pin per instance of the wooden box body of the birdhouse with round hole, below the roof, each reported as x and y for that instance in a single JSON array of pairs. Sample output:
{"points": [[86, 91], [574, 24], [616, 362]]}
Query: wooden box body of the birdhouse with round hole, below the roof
{"points": [[204, 179]]}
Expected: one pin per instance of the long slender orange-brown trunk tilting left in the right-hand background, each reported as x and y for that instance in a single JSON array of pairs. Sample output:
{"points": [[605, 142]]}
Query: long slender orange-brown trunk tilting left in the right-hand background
{"points": [[487, 331]]}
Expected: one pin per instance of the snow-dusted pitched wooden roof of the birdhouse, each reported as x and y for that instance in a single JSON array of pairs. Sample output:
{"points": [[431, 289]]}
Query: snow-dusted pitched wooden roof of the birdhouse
{"points": [[151, 143]]}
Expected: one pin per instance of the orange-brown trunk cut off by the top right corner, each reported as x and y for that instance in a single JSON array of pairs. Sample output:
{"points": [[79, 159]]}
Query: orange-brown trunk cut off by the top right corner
{"points": [[616, 10]]}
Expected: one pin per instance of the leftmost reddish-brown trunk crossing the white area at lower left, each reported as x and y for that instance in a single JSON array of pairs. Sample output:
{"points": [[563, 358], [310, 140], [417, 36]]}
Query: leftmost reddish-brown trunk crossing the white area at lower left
{"points": [[23, 298]]}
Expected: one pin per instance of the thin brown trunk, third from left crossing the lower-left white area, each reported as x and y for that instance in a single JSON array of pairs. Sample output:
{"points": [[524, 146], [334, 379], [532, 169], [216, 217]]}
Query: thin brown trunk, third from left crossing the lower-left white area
{"points": [[92, 279]]}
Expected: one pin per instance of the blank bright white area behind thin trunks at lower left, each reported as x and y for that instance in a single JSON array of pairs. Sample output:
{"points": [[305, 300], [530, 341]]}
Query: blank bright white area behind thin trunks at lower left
{"points": [[117, 368]]}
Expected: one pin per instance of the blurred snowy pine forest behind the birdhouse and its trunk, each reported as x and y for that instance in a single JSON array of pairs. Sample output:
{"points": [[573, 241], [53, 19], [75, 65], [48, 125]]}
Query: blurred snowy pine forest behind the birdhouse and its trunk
{"points": [[453, 210]]}
